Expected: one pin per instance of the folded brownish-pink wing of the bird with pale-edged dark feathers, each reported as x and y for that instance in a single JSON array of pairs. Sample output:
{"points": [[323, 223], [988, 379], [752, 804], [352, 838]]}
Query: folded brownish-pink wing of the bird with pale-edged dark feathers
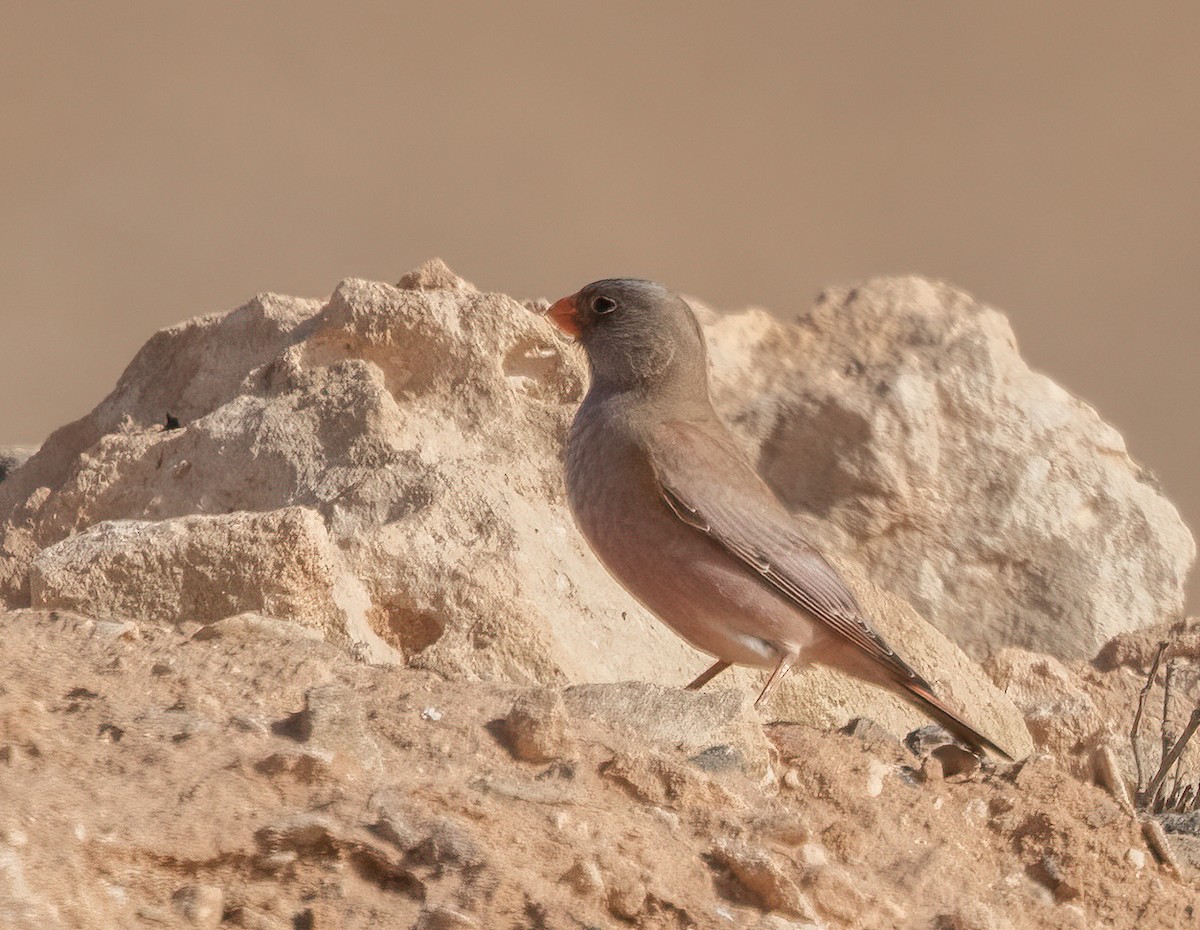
{"points": [[710, 487]]}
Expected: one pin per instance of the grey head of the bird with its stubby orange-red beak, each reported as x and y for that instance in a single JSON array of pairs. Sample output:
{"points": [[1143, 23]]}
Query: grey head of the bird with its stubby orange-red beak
{"points": [[639, 337]]}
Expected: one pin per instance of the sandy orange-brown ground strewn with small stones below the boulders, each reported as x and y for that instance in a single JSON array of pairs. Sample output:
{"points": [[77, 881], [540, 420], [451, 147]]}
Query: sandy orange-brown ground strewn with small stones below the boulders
{"points": [[245, 775]]}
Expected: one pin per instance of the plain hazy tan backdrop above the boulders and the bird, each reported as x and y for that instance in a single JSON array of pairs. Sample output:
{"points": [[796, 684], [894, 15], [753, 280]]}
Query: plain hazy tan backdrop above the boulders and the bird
{"points": [[163, 160]]}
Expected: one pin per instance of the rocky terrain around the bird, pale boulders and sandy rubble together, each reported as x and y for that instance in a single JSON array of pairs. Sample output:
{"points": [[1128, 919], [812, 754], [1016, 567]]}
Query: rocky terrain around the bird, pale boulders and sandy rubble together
{"points": [[296, 632]]}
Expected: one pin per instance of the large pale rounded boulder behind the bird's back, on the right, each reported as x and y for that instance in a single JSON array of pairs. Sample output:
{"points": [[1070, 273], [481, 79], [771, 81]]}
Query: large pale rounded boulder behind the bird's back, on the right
{"points": [[899, 422]]}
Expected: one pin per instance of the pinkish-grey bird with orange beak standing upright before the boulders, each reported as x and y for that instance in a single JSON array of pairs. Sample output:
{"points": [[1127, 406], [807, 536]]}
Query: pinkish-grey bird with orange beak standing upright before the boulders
{"points": [[671, 506]]}
